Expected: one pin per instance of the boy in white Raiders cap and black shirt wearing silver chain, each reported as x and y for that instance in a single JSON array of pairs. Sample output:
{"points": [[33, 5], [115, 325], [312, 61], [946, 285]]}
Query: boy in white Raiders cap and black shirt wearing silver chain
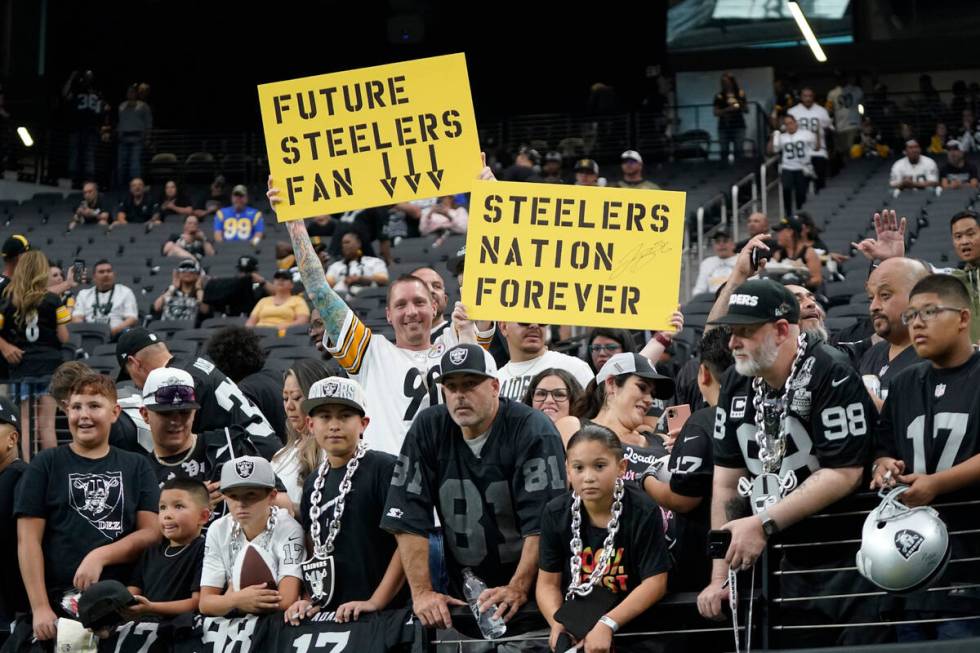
{"points": [[341, 510]]}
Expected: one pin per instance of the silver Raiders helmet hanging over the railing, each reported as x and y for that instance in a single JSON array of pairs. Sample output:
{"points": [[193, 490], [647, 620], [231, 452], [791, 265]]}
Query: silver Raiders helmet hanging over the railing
{"points": [[902, 549]]}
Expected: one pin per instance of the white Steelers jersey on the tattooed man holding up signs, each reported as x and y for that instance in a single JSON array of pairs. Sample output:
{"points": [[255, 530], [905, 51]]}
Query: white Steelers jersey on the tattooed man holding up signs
{"points": [[398, 382]]}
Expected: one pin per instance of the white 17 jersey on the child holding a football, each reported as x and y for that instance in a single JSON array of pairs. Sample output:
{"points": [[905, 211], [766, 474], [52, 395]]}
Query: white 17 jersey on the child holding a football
{"points": [[286, 551]]}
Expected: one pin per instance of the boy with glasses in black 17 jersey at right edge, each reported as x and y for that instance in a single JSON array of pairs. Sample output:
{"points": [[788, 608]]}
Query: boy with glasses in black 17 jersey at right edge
{"points": [[927, 439]]}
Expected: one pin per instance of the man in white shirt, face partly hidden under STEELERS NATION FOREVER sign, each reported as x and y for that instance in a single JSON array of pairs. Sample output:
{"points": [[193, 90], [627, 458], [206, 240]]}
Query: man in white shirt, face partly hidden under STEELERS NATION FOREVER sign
{"points": [[529, 355]]}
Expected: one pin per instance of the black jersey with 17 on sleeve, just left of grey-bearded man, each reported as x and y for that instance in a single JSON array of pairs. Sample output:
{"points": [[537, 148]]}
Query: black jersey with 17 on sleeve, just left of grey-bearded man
{"points": [[692, 466]]}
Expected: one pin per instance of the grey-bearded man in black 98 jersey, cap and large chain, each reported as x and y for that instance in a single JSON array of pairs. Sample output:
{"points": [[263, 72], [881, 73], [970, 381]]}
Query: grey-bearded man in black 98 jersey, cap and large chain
{"points": [[793, 429]]}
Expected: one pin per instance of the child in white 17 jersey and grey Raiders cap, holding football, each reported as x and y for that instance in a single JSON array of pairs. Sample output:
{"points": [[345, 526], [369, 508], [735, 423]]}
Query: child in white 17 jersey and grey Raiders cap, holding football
{"points": [[248, 485]]}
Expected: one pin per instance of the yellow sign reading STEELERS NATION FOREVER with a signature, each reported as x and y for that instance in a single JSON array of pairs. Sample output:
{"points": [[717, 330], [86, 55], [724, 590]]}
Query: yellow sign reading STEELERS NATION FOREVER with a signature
{"points": [[574, 255]]}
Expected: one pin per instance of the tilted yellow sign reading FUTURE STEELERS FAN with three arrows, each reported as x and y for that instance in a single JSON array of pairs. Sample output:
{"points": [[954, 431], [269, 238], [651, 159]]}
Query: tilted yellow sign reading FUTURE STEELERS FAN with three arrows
{"points": [[370, 137]]}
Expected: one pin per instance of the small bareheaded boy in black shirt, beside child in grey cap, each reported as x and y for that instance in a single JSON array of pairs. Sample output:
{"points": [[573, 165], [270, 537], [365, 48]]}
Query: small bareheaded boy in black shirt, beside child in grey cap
{"points": [[167, 580]]}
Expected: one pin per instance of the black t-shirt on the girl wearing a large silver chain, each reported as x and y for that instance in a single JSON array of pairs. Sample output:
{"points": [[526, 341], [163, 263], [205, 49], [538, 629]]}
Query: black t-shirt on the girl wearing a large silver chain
{"points": [[641, 552]]}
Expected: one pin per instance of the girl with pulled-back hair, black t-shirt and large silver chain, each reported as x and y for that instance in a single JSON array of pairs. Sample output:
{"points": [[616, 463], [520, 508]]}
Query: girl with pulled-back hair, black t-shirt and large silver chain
{"points": [[602, 544]]}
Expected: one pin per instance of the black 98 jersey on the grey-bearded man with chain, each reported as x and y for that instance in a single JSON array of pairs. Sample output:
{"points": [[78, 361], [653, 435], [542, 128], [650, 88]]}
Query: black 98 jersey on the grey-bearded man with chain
{"points": [[831, 418]]}
